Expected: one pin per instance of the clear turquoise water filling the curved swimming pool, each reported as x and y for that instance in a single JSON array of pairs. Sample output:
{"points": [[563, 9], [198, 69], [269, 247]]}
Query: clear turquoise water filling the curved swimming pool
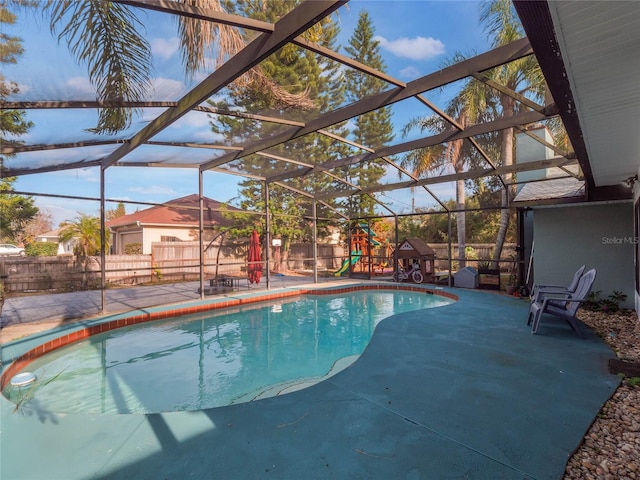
{"points": [[213, 359]]}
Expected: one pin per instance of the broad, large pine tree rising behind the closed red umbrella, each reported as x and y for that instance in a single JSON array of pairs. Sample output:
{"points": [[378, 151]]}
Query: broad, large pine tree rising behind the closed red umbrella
{"points": [[299, 73]]}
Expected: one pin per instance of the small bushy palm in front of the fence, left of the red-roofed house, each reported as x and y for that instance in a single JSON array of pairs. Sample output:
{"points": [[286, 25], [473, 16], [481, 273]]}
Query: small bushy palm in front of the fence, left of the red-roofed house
{"points": [[86, 233]]}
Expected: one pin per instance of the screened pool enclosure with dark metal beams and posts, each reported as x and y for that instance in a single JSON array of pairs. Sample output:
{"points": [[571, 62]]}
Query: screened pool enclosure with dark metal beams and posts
{"points": [[209, 119]]}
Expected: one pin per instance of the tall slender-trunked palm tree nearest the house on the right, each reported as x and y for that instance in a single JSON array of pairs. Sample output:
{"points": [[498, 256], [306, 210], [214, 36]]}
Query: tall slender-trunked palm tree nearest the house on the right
{"points": [[522, 76]]}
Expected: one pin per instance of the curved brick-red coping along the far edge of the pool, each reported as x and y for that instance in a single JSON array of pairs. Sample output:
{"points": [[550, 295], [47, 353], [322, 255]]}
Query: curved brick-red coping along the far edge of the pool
{"points": [[18, 354]]}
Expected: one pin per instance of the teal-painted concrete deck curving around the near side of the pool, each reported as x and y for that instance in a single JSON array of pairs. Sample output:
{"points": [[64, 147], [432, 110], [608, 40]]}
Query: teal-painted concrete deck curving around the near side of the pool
{"points": [[461, 391]]}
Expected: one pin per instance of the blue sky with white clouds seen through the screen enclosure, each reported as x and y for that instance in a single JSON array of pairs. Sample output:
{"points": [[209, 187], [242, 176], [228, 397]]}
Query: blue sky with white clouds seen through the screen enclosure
{"points": [[416, 38]]}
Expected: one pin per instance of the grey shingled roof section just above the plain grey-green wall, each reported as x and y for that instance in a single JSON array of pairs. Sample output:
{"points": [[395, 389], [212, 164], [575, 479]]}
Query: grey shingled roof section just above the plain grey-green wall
{"points": [[551, 190]]}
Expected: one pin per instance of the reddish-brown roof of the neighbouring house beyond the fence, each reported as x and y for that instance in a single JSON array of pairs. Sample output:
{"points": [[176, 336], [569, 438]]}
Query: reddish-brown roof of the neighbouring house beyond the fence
{"points": [[170, 214]]}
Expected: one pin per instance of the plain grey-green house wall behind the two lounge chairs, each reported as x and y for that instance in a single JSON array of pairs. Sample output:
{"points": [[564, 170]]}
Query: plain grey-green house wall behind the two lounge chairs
{"points": [[599, 236]]}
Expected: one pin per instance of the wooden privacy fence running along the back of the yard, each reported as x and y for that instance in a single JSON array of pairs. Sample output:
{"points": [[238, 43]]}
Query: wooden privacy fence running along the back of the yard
{"points": [[180, 261]]}
